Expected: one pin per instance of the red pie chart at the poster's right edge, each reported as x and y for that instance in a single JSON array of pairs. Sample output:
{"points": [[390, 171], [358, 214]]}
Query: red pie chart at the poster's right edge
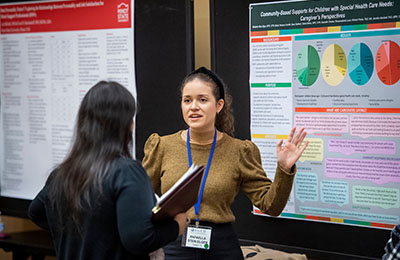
{"points": [[387, 62]]}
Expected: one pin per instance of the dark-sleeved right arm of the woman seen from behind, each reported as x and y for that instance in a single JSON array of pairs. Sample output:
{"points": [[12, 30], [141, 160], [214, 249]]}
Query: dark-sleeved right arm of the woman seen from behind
{"points": [[134, 202]]}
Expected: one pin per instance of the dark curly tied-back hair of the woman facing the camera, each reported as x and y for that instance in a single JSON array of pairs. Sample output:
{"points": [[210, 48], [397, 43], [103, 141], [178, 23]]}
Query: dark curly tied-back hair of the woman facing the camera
{"points": [[224, 121]]}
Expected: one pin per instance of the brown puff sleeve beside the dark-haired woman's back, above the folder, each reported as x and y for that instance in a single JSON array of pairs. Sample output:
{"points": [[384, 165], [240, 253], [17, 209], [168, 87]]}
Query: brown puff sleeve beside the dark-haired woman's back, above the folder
{"points": [[152, 160]]}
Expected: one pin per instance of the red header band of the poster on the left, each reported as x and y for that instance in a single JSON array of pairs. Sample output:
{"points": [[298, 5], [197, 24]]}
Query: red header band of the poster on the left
{"points": [[65, 16]]}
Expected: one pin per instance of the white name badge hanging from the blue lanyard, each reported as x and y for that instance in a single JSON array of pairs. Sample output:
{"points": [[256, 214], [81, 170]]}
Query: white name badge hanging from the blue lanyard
{"points": [[197, 237]]}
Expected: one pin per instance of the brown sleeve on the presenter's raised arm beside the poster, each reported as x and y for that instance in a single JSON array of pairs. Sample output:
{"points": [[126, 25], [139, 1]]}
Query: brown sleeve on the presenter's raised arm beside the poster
{"points": [[270, 197]]}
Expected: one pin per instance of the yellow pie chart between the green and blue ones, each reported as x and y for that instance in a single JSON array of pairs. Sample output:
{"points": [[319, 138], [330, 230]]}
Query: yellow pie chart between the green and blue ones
{"points": [[334, 65]]}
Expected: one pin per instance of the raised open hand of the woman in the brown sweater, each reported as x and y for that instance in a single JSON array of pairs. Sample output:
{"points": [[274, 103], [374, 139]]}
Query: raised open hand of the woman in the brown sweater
{"points": [[291, 151]]}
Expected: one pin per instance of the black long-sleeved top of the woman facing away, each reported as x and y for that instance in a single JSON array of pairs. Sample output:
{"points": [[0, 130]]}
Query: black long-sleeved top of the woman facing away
{"points": [[118, 227]]}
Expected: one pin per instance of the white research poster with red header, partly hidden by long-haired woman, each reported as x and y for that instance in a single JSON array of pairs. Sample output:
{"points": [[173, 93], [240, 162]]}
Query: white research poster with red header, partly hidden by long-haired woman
{"points": [[51, 53]]}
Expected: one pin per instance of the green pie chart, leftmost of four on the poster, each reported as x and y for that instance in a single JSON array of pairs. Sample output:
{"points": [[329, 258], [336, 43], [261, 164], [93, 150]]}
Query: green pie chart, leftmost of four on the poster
{"points": [[307, 65]]}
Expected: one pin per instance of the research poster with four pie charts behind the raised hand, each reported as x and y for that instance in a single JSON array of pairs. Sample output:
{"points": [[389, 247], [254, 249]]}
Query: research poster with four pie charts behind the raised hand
{"points": [[332, 67]]}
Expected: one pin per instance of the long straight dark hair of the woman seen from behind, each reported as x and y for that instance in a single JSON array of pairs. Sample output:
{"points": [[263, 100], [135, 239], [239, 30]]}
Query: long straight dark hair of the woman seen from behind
{"points": [[102, 134]]}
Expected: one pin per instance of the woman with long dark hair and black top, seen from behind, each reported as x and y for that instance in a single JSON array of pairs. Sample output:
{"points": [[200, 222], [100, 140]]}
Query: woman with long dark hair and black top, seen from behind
{"points": [[97, 203]]}
